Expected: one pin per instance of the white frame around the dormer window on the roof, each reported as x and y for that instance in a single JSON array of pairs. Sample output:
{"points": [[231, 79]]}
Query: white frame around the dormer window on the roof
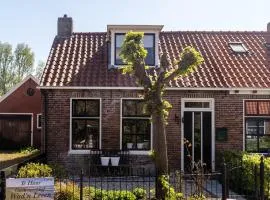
{"points": [[114, 32]]}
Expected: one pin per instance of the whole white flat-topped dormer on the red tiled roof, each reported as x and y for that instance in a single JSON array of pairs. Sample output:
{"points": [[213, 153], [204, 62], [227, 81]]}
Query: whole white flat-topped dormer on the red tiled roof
{"points": [[150, 42]]}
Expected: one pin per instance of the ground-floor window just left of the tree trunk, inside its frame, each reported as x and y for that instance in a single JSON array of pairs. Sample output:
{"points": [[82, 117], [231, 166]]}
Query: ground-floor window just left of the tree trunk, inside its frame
{"points": [[136, 125]]}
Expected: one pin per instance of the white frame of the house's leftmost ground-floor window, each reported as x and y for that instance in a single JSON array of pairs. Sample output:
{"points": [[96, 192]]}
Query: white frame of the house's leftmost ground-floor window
{"points": [[87, 151]]}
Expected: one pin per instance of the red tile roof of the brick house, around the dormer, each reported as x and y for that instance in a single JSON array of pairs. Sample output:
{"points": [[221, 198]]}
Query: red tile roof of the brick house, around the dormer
{"points": [[81, 60]]}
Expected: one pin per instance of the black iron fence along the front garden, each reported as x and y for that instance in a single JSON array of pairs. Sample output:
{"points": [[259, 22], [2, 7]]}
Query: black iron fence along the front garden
{"points": [[125, 182]]}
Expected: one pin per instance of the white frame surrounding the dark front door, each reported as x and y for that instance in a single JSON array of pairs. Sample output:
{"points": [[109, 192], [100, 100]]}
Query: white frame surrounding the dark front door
{"points": [[210, 109]]}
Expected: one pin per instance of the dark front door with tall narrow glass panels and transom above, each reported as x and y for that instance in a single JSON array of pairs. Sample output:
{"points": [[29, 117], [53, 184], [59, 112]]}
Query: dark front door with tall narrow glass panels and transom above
{"points": [[198, 134]]}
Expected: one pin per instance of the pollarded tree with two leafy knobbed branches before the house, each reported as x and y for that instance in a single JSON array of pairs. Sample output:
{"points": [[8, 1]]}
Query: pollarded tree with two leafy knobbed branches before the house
{"points": [[154, 83]]}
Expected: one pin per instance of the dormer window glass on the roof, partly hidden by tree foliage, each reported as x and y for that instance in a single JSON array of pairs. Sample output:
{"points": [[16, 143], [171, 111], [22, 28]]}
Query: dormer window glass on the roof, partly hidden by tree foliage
{"points": [[149, 45]]}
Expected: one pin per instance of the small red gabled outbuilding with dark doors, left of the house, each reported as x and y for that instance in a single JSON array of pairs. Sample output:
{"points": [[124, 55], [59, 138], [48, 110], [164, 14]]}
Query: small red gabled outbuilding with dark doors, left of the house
{"points": [[20, 115]]}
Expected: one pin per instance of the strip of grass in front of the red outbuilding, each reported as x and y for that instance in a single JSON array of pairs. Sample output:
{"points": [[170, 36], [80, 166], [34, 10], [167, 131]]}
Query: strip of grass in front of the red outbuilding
{"points": [[9, 158]]}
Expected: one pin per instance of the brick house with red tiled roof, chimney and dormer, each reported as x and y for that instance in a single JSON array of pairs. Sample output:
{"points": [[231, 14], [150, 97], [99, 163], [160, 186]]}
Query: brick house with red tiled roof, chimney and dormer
{"points": [[89, 105]]}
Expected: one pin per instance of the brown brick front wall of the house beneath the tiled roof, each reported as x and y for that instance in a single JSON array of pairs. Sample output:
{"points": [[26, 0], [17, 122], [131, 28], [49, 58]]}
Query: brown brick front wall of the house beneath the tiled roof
{"points": [[228, 113]]}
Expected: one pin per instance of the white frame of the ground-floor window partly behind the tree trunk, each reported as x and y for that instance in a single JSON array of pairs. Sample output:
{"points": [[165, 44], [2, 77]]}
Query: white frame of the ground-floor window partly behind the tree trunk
{"points": [[134, 152]]}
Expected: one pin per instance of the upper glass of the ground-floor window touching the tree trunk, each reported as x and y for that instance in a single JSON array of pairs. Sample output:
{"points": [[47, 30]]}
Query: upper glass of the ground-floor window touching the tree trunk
{"points": [[134, 108]]}
